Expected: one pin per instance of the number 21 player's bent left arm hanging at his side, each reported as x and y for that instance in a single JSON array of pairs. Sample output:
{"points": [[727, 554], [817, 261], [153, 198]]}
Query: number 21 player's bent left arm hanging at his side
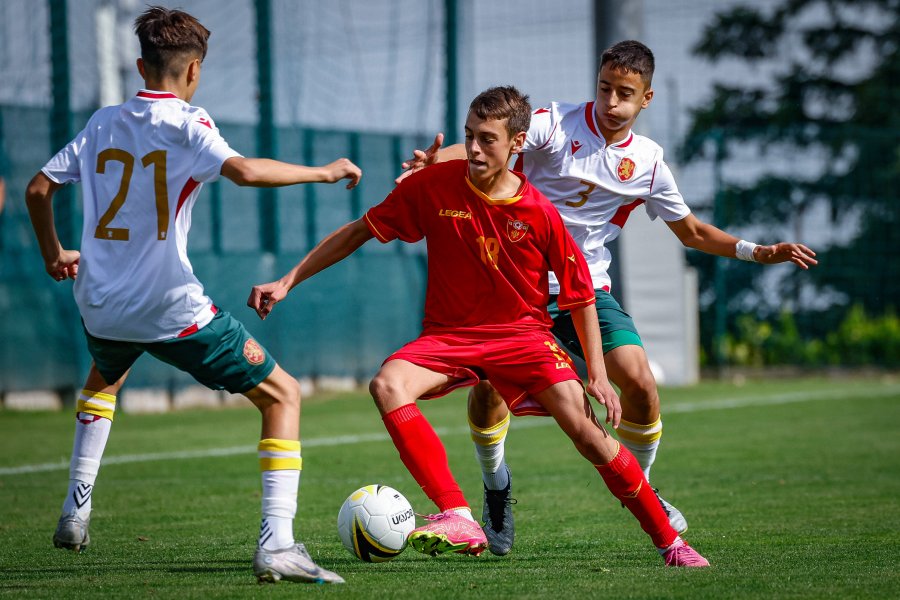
{"points": [[61, 264]]}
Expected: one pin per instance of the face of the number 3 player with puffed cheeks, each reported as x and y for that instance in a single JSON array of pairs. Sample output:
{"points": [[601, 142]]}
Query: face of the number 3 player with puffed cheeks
{"points": [[621, 95]]}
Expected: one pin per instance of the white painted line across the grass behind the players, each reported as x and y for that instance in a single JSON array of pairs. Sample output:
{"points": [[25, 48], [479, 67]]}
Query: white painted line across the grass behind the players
{"points": [[346, 440]]}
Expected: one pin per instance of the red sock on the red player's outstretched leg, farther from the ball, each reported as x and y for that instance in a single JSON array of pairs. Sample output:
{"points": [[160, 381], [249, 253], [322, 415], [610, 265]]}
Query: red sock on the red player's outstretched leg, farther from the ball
{"points": [[626, 481]]}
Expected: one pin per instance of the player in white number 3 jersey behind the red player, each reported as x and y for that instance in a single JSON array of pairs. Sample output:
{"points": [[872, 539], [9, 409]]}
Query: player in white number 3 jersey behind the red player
{"points": [[595, 170]]}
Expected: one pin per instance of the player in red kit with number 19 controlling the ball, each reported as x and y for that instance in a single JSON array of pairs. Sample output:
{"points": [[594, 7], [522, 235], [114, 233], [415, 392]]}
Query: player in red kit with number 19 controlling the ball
{"points": [[491, 239]]}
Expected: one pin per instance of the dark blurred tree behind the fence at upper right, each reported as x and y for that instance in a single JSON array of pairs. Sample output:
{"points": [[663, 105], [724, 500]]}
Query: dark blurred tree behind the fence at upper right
{"points": [[833, 93]]}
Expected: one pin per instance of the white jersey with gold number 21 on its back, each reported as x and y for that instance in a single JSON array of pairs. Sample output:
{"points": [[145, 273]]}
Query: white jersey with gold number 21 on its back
{"points": [[142, 164]]}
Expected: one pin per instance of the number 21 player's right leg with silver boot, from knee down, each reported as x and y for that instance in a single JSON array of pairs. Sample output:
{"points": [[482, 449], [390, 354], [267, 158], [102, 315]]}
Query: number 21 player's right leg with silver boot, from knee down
{"points": [[278, 556]]}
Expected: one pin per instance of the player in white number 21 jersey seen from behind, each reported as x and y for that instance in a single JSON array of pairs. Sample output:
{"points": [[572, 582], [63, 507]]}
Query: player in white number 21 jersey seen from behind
{"points": [[142, 165]]}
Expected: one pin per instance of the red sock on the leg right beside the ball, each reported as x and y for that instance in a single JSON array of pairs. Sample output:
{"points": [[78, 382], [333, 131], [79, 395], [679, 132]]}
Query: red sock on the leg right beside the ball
{"points": [[424, 456]]}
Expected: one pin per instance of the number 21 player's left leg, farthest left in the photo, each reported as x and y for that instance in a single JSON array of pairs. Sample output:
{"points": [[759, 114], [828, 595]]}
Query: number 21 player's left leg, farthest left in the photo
{"points": [[94, 413]]}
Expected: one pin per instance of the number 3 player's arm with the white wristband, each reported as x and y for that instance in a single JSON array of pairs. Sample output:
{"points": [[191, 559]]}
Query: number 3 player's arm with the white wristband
{"points": [[694, 233]]}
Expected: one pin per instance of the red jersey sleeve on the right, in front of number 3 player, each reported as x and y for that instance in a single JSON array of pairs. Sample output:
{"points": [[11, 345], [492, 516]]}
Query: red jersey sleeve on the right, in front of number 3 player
{"points": [[566, 260]]}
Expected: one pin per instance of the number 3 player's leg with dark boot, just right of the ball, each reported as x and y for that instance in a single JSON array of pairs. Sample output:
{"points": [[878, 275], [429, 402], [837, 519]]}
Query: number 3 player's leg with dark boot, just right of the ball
{"points": [[488, 426]]}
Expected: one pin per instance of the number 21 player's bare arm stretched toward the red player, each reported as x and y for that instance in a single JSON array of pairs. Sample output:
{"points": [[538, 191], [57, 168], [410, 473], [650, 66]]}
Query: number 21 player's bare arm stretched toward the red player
{"points": [[265, 172]]}
